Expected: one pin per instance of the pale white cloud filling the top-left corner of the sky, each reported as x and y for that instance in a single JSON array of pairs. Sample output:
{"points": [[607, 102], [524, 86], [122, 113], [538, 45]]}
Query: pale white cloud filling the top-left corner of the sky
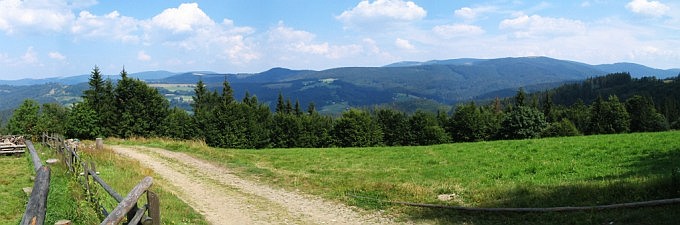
{"points": [[34, 16]]}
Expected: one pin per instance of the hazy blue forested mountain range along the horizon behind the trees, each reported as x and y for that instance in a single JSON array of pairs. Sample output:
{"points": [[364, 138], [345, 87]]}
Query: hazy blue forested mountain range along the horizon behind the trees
{"points": [[332, 90]]}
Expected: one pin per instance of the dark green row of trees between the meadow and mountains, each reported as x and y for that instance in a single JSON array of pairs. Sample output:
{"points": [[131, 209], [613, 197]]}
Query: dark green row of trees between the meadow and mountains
{"points": [[130, 108]]}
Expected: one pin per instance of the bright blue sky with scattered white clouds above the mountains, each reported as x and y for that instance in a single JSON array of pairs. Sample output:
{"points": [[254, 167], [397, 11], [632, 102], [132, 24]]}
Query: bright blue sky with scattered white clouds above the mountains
{"points": [[52, 38]]}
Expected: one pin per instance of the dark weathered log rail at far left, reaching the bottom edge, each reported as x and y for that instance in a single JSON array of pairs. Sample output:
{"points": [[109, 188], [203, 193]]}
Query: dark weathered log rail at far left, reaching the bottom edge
{"points": [[37, 204]]}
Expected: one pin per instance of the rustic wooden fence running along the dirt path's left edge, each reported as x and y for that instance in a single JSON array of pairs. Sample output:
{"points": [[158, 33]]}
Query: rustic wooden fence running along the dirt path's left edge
{"points": [[127, 206]]}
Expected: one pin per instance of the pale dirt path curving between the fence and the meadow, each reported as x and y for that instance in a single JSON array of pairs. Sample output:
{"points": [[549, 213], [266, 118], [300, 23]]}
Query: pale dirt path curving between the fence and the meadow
{"points": [[224, 198]]}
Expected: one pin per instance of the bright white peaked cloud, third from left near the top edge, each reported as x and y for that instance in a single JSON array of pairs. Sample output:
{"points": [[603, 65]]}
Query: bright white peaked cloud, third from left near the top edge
{"points": [[185, 18]]}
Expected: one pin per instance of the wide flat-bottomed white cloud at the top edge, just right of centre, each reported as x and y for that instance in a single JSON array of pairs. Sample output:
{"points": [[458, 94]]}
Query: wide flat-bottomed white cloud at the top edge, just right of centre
{"points": [[382, 11]]}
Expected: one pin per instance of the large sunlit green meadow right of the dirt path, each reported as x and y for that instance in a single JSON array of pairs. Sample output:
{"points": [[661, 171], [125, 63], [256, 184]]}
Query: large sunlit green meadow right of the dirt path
{"points": [[574, 171]]}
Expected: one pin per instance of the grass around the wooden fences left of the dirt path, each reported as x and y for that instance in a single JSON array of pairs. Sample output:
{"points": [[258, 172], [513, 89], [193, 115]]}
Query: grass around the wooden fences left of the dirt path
{"points": [[67, 199]]}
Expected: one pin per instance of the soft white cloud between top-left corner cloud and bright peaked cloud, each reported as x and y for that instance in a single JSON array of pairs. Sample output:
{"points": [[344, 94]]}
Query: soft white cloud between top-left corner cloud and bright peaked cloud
{"points": [[112, 25]]}
